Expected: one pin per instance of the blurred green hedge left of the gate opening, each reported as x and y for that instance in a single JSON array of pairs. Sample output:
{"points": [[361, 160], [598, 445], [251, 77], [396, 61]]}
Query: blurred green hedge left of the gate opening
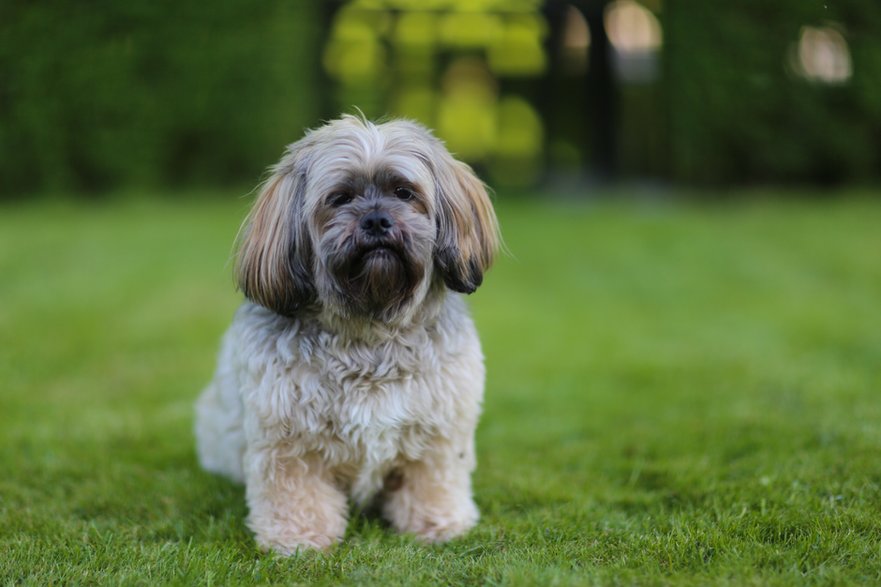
{"points": [[105, 94]]}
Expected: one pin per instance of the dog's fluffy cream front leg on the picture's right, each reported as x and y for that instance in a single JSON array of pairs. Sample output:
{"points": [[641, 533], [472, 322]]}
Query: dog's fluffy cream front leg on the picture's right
{"points": [[431, 497]]}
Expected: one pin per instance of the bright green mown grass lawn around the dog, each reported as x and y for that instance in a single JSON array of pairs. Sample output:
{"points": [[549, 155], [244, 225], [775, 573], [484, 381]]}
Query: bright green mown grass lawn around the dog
{"points": [[678, 393]]}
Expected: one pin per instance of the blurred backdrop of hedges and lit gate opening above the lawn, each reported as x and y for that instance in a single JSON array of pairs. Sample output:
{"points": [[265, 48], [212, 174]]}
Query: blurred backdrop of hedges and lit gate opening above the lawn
{"points": [[112, 95]]}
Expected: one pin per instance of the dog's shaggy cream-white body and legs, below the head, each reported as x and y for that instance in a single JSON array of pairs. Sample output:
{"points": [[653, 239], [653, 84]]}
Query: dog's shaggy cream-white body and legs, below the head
{"points": [[305, 416]]}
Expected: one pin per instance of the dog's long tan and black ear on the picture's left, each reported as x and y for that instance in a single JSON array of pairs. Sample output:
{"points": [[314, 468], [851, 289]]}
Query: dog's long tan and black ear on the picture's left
{"points": [[274, 260]]}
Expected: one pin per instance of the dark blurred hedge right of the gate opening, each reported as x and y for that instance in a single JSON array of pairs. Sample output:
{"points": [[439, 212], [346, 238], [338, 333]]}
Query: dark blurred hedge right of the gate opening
{"points": [[739, 113]]}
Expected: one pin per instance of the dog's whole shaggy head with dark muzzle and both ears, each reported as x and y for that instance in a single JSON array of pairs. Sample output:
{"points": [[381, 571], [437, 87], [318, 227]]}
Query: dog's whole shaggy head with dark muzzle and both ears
{"points": [[364, 220]]}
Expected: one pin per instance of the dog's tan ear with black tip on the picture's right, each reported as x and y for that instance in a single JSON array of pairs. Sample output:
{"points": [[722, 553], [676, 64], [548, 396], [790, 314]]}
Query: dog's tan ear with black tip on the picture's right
{"points": [[467, 229]]}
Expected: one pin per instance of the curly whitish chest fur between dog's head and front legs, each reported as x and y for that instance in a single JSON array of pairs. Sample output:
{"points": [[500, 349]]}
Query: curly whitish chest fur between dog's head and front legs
{"points": [[361, 408]]}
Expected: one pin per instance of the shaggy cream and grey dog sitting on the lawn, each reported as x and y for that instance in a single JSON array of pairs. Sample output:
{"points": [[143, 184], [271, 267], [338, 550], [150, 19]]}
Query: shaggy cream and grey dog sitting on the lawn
{"points": [[353, 369]]}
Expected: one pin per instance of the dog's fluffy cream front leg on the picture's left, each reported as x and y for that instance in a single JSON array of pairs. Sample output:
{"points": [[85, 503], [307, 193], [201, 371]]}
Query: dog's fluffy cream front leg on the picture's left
{"points": [[293, 502]]}
